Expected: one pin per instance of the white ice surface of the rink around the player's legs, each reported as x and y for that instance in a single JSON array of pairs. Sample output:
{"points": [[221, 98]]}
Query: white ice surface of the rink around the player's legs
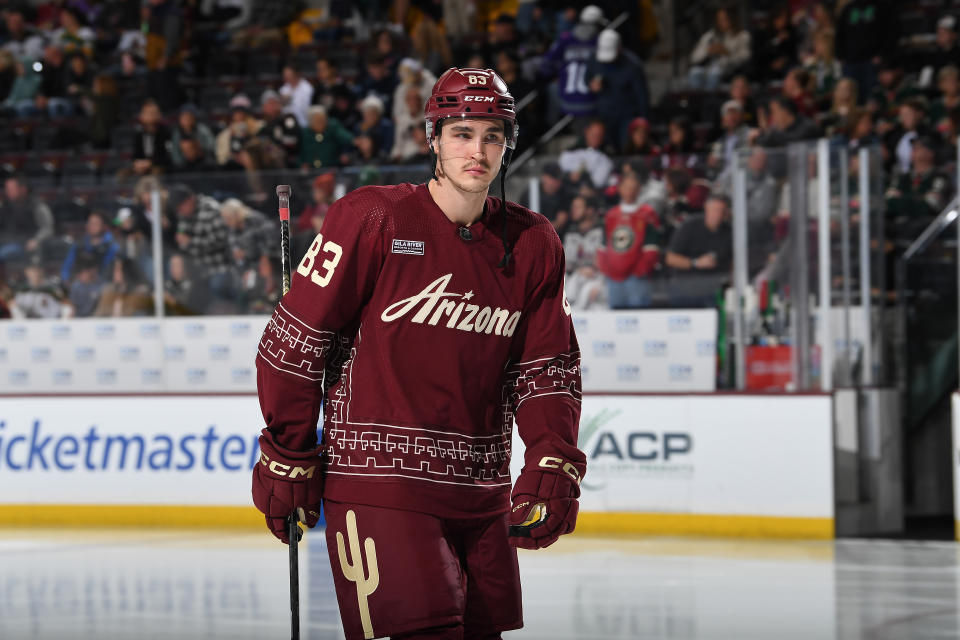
{"points": [[182, 585]]}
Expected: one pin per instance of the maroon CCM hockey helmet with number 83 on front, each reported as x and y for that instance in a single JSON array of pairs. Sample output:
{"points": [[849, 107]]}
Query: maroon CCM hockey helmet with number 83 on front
{"points": [[471, 93]]}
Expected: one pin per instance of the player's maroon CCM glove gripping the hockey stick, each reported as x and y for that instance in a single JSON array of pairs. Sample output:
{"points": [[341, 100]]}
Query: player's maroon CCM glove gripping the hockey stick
{"points": [[284, 480]]}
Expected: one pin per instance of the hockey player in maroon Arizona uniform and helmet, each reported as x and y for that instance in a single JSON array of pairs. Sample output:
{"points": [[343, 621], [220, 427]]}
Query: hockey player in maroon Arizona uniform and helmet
{"points": [[426, 319]]}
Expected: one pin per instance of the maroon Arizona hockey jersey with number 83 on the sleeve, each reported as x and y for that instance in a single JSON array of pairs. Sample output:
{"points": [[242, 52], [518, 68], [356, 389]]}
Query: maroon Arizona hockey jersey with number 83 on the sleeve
{"points": [[423, 353]]}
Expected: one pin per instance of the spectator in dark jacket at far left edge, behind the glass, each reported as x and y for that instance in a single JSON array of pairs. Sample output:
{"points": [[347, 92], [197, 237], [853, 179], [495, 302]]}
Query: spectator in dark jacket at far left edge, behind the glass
{"points": [[26, 221]]}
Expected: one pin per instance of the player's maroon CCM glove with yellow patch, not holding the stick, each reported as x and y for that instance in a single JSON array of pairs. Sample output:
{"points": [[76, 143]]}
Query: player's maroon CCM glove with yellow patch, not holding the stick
{"points": [[545, 502]]}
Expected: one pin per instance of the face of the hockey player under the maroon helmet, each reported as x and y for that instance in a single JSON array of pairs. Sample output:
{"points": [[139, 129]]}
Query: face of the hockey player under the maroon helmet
{"points": [[469, 152]]}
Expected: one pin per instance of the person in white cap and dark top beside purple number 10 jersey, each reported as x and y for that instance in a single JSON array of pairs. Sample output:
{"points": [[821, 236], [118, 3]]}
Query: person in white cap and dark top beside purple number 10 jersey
{"points": [[619, 81]]}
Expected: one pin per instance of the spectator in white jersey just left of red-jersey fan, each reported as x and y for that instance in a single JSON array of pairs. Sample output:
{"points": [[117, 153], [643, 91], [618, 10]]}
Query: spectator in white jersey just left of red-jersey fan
{"points": [[585, 285]]}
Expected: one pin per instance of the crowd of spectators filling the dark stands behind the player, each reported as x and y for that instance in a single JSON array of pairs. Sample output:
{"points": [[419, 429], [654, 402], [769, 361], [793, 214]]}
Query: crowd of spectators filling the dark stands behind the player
{"points": [[118, 118]]}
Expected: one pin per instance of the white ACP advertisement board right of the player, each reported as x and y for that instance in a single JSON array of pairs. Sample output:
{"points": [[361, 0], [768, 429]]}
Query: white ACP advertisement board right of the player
{"points": [[723, 456]]}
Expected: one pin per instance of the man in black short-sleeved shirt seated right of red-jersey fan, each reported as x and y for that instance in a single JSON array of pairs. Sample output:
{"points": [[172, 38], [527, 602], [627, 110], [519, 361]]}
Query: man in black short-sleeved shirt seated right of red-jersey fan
{"points": [[700, 255]]}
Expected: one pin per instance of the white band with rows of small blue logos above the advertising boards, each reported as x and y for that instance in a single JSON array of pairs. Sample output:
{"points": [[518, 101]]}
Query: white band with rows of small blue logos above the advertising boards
{"points": [[647, 350]]}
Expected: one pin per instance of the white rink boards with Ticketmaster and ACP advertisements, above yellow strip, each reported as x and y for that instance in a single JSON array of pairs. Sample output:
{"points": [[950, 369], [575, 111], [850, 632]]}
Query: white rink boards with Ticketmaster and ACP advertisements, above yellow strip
{"points": [[738, 455]]}
